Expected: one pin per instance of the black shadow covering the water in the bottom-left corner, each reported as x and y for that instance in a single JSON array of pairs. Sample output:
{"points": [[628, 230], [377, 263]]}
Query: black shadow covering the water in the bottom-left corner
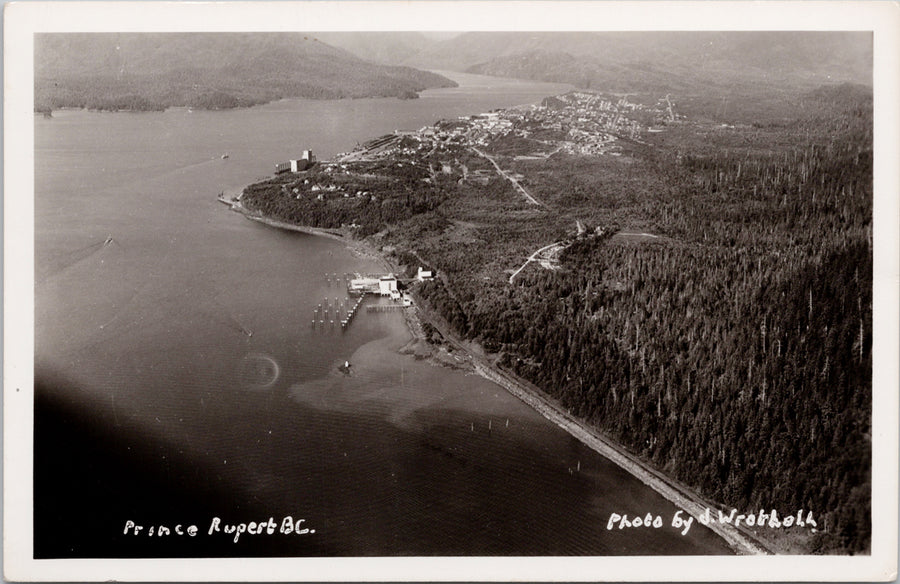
{"points": [[96, 467]]}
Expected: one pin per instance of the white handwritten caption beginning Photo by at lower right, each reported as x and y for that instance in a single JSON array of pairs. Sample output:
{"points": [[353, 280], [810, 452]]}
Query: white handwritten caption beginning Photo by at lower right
{"points": [[682, 520]]}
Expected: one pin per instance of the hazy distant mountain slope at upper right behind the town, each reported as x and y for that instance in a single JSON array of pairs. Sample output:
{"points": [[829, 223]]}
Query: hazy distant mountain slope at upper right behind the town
{"points": [[659, 61]]}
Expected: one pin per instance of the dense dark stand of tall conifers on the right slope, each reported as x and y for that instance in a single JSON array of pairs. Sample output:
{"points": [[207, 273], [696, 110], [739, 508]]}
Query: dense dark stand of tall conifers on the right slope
{"points": [[737, 354]]}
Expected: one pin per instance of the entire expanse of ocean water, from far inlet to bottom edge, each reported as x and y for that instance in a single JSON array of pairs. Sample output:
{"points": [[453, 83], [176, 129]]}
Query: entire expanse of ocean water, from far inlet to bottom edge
{"points": [[179, 379]]}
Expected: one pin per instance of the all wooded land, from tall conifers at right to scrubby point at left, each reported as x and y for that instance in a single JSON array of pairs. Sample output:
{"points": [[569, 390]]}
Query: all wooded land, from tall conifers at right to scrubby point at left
{"points": [[731, 347]]}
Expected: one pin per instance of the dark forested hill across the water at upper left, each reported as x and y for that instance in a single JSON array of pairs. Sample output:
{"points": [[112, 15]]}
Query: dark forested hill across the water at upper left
{"points": [[142, 71]]}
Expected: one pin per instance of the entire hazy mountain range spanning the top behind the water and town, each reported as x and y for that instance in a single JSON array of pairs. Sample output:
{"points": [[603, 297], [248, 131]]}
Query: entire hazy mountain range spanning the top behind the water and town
{"points": [[216, 70]]}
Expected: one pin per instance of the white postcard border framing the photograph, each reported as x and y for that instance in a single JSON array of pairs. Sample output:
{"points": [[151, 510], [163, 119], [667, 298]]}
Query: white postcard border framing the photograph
{"points": [[25, 18]]}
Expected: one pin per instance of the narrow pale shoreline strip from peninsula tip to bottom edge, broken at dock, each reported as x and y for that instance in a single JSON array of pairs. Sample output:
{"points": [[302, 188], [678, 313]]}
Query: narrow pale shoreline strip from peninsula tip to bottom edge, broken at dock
{"points": [[418, 346]]}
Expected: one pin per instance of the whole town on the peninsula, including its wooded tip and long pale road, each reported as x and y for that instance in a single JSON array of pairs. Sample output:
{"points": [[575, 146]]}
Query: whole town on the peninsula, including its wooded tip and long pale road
{"points": [[394, 176]]}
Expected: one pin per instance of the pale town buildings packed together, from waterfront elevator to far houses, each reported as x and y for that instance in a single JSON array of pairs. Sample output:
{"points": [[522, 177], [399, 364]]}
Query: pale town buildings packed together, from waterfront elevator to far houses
{"points": [[579, 122]]}
